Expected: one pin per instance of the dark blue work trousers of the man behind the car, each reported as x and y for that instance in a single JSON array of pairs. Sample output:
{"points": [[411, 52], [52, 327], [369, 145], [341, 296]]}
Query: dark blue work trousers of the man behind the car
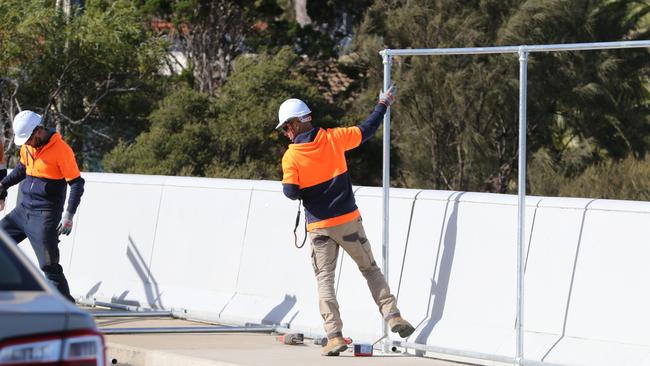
{"points": [[40, 228]]}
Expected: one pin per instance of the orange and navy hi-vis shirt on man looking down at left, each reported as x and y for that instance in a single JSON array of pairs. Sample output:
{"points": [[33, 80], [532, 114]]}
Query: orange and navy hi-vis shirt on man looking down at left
{"points": [[45, 173]]}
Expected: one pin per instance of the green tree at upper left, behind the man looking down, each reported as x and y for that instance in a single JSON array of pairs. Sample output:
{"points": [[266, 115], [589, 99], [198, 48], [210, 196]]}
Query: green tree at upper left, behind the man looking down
{"points": [[93, 75]]}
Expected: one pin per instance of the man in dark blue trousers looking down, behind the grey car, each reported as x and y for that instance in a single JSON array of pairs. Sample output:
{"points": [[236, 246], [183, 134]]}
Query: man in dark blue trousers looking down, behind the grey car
{"points": [[47, 165]]}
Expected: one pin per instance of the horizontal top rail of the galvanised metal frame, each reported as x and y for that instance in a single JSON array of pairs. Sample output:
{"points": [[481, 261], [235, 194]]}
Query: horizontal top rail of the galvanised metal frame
{"points": [[516, 49]]}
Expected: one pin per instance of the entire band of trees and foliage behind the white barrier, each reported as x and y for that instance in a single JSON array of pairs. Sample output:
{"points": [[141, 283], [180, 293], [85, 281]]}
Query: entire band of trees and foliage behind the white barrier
{"points": [[96, 74]]}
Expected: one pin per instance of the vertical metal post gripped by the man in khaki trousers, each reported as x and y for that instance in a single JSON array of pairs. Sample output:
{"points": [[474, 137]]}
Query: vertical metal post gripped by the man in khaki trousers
{"points": [[386, 181]]}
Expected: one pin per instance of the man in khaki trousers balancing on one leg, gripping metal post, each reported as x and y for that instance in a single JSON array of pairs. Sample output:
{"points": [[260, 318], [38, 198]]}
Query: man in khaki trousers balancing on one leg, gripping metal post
{"points": [[315, 171]]}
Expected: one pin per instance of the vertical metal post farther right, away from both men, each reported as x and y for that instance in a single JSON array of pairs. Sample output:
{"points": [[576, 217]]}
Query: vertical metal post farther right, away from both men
{"points": [[521, 206]]}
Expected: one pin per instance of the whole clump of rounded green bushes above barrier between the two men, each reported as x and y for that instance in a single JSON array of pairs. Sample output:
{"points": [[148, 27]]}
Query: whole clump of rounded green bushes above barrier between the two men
{"points": [[230, 136]]}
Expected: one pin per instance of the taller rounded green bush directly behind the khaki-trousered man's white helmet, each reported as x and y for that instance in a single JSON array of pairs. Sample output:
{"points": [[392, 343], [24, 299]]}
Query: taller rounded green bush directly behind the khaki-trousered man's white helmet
{"points": [[248, 144]]}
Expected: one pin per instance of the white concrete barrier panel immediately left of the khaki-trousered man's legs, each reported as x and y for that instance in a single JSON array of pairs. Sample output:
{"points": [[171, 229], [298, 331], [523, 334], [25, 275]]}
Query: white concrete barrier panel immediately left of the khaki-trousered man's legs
{"points": [[275, 282]]}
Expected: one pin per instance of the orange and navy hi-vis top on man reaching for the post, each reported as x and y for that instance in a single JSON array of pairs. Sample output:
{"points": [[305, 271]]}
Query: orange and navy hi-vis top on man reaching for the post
{"points": [[315, 170]]}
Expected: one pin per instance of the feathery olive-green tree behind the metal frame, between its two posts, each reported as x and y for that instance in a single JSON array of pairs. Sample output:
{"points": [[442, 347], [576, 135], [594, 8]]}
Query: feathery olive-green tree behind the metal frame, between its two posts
{"points": [[453, 123]]}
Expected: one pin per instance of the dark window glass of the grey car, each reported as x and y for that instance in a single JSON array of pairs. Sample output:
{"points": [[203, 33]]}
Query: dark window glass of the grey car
{"points": [[13, 274]]}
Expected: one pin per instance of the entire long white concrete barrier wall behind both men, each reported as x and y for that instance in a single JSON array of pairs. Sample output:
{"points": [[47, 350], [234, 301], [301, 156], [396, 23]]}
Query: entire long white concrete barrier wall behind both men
{"points": [[224, 248]]}
